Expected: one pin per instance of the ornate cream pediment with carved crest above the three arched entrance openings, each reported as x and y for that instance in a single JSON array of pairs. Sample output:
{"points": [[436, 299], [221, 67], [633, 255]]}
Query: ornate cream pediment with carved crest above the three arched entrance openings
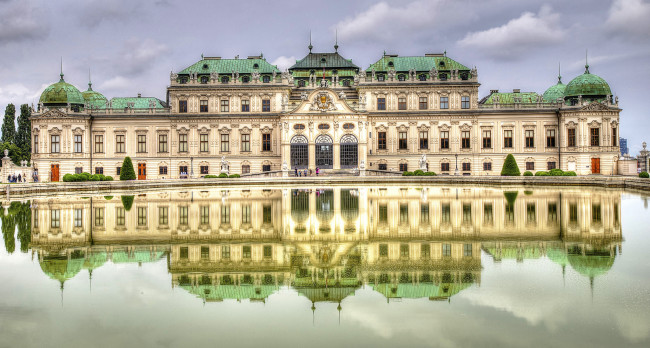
{"points": [[323, 100]]}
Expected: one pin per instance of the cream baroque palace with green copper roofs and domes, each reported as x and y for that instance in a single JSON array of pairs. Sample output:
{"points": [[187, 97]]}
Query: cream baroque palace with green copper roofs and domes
{"points": [[400, 114]]}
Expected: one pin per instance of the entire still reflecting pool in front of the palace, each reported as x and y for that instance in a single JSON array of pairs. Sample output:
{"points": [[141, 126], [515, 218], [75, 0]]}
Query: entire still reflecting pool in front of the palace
{"points": [[315, 267]]}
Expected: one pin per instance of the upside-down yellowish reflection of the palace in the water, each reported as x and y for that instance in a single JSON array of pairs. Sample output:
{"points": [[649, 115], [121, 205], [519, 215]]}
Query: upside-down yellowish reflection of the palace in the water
{"points": [[327, 243]]}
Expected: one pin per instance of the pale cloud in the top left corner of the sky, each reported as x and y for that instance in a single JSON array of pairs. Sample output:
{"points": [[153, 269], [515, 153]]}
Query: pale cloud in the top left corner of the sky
{"points": [[20, 21]]}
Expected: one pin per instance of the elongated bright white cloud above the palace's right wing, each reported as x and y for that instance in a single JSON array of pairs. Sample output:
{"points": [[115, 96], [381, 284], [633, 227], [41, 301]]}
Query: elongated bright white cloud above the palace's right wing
{"points": [[519, 36]]}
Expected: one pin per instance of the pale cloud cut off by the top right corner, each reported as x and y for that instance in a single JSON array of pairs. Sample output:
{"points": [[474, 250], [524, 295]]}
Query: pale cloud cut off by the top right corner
{"points": [[629, 17]]}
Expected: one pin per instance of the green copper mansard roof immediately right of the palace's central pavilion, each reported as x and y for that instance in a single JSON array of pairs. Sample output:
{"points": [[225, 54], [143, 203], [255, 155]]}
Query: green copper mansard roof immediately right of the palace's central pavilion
{"points": [[419, 63]]}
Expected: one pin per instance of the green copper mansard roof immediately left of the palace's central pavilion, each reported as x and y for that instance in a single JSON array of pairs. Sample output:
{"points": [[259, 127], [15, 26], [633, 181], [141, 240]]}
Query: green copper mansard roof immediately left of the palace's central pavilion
{"points": [[227, 66]]}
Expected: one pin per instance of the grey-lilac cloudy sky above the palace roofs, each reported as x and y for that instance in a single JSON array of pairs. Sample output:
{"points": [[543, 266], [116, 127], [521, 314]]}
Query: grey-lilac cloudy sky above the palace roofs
{"points": [[131, 46]]}
